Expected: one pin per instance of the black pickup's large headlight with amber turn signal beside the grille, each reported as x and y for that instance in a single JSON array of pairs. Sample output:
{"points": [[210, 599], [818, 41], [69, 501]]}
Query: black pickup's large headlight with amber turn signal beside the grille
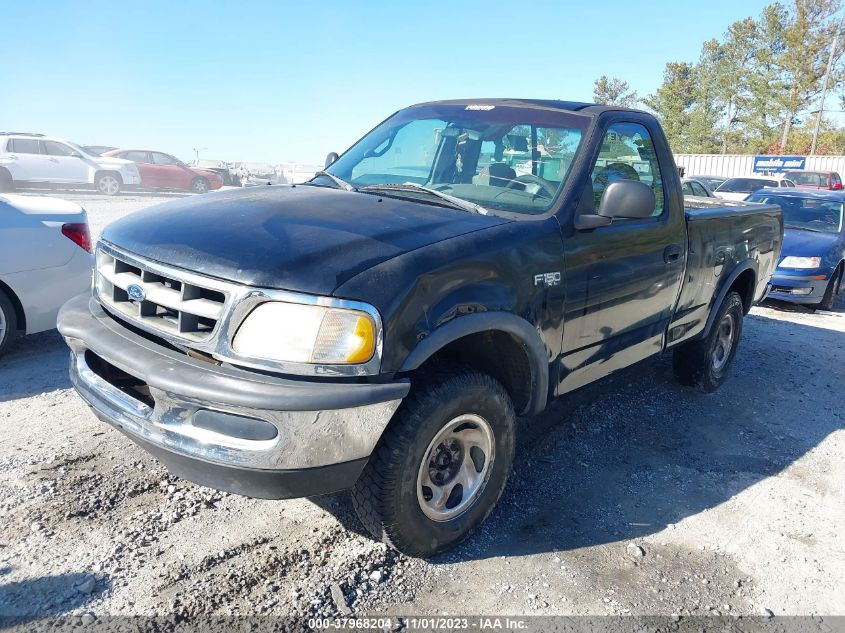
{"points": [[297, 333]]}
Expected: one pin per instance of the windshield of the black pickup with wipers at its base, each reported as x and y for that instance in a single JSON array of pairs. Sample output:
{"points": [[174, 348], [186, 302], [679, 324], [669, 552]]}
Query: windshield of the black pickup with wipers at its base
{"points": [[512, 159]]}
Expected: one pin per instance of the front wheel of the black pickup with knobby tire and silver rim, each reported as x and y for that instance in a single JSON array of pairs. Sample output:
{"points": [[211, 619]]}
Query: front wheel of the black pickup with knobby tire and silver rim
{"points": [[388, 497]]}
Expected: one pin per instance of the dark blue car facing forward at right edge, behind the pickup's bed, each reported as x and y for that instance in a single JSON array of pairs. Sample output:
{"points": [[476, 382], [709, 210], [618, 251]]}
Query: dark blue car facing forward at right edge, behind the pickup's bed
{"points": [[813, 255]]}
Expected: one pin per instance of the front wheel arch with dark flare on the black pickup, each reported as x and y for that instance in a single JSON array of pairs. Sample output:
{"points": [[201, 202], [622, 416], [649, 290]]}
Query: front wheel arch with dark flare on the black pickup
{"points": [[500, 344]]}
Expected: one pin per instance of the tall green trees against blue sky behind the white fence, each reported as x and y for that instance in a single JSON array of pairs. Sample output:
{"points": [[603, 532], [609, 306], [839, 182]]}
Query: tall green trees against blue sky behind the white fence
{"points": [[755, 90]]}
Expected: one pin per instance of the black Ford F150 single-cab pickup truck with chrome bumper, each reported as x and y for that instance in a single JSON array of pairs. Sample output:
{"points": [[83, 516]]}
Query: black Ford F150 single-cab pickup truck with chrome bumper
{"points": [[380, 327]]}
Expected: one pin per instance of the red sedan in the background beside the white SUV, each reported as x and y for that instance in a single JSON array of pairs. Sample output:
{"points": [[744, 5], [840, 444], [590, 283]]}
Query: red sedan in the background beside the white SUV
{"points": [[163, 171]]}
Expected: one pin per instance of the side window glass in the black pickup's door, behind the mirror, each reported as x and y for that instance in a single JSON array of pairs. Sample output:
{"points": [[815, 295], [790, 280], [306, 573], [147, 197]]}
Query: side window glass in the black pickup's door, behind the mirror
{"points": [[627, 153]]}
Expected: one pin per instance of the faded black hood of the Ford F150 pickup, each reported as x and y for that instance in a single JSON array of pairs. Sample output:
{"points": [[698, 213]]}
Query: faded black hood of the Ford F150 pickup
{"points": [[302, 238]]}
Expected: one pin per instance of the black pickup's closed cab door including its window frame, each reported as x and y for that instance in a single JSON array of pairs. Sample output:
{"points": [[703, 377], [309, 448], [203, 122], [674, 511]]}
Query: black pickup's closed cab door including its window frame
{"points": [[622, 280]]}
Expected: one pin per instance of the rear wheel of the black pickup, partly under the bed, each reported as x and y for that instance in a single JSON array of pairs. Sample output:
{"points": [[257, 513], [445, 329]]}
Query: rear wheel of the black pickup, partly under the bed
{"points": [[704, 363]]}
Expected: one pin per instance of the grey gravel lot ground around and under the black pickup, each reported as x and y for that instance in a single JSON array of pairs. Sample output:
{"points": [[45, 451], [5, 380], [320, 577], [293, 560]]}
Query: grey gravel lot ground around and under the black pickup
{"points": [[632, 496]]}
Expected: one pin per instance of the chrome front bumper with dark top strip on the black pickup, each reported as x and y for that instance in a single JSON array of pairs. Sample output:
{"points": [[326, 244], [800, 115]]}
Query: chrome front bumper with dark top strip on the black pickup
{"points": [[225, 417]]}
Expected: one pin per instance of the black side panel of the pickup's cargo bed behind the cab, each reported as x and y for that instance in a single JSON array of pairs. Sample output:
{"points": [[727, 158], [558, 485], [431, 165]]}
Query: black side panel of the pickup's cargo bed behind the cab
{"points": [[722, 234]]}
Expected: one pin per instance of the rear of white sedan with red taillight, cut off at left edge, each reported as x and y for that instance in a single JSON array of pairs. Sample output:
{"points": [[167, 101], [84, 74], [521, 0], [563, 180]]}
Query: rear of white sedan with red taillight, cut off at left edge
{"points": [[45, 259]]}
